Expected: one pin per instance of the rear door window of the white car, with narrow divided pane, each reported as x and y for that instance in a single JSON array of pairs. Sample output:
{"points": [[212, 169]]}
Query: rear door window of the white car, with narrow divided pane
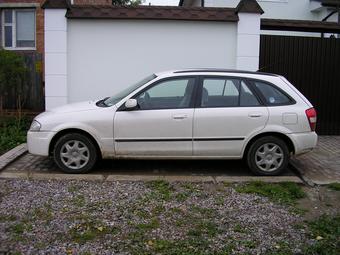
{"points": [[224, 92]]}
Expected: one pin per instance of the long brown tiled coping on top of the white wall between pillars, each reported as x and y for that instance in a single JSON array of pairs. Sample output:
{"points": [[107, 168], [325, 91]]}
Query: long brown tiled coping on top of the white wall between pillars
{"points": [[152, 12]]}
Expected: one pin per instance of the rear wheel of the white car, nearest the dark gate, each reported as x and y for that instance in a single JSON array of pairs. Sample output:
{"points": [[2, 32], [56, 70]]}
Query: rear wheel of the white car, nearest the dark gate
{"points": [[268, 155]]}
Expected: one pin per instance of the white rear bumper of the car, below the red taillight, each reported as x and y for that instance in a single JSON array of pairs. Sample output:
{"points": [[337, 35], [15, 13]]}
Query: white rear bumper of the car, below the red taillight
{"points": [[304, 142]]}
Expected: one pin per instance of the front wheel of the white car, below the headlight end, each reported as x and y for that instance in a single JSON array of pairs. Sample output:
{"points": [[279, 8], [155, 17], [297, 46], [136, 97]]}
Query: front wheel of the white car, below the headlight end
{"points": [[75, 153]]}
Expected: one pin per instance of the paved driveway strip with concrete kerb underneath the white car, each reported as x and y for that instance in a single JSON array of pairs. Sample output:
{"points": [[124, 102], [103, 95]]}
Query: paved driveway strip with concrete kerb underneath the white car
{"points": [[36, 167]]}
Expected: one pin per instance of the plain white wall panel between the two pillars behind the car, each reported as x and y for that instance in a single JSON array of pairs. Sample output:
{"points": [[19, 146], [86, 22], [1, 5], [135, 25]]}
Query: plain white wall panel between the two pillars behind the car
{"points": [[104, 56]]}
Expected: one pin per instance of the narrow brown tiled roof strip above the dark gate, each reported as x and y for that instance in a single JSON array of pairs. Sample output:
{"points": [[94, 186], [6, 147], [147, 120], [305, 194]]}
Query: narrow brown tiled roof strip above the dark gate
{"points": [[300, 25]]}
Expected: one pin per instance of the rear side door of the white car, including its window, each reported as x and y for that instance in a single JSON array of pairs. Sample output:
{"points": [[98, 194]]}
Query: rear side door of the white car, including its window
{"points": [[228, 111]]}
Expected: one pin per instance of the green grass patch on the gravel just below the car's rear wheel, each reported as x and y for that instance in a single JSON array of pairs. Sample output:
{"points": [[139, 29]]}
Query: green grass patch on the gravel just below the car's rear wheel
{"points": [[283, 193]]}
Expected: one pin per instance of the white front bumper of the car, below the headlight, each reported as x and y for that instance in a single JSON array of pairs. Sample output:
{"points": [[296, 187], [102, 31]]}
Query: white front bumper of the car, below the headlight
{"points": [[38, 142]]}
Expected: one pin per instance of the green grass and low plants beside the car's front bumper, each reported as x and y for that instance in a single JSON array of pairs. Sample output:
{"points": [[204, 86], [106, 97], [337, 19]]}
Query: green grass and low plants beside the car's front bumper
{"points": [[12, 132]]}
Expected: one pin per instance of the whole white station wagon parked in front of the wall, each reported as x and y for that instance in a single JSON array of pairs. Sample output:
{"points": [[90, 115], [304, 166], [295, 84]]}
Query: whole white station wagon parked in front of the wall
{"points": [[183, 114]]}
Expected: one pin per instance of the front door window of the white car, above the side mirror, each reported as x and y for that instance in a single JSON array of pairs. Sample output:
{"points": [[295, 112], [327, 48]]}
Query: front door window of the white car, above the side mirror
{"points": [[168, 94]]}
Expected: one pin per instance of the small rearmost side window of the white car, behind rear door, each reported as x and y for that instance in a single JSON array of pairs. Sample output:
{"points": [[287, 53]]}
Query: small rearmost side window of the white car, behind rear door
{"points": [[272, 95]]}
